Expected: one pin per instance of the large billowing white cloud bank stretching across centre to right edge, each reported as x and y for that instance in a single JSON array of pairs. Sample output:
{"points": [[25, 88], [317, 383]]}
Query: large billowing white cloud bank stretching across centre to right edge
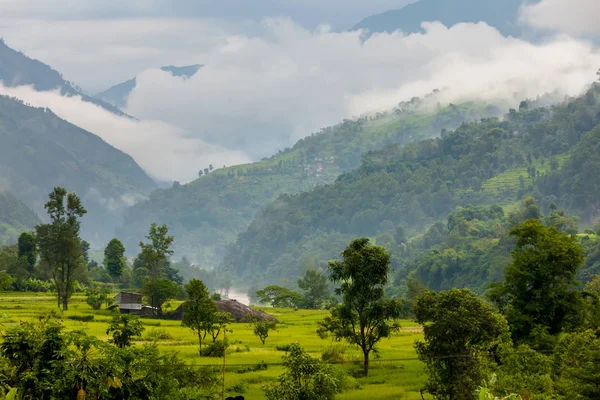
{"points": [[260, 94]]}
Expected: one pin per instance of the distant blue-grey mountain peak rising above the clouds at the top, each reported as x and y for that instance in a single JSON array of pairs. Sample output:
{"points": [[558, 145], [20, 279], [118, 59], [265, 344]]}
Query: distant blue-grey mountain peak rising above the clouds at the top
{"points": [[502, 15]]}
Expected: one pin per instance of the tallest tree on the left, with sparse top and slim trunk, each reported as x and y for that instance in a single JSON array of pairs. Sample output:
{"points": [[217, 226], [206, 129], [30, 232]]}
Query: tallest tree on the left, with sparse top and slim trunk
{"points": [[59, 242]]}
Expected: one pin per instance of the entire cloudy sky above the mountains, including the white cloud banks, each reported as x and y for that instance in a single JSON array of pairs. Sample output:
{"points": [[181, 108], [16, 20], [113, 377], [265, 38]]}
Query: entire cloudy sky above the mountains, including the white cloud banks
{"points": [[278, 71]]}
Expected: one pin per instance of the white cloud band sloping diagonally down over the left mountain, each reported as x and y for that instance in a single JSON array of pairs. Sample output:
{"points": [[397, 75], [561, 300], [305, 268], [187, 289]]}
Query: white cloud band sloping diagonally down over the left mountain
{"points": [[162, 150]]}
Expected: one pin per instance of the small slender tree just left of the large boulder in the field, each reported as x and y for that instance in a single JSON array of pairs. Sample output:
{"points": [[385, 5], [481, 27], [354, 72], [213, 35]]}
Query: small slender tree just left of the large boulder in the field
{"points": [[199, 310]]}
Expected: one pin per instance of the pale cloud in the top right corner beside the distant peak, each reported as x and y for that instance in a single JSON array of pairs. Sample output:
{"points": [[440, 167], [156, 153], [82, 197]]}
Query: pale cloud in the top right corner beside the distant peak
{"points": [[578, 17]]}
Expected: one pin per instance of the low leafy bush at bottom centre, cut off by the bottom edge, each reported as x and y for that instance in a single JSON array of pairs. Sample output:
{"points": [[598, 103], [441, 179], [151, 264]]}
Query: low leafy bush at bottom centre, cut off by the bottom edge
{"points": [[304, 378]]}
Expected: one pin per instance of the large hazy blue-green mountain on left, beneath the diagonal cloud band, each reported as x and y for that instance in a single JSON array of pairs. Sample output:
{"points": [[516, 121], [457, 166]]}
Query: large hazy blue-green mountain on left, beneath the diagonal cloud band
{"points": [[39, 150]]}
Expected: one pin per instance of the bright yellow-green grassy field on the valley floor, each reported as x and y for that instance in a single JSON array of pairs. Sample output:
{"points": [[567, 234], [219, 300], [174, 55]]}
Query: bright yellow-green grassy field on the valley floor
{"points": [[395, 374]]}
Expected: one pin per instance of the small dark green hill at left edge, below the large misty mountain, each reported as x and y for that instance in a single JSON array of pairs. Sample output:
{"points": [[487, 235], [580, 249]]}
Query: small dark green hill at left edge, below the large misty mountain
{"points": [[15, 218]]}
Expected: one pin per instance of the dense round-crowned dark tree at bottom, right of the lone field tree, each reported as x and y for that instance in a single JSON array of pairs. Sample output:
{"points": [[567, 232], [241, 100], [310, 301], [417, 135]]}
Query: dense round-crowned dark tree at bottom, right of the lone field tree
{"points": [[460, 332]]}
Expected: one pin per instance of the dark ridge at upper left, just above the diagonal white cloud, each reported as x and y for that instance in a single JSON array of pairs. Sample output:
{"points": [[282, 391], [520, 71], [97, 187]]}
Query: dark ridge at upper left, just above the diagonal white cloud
{"points": [[16, 69]]}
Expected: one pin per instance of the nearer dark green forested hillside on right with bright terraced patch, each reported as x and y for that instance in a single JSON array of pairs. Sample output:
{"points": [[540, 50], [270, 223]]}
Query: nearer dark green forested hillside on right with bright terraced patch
{"points": [[399, 192]]}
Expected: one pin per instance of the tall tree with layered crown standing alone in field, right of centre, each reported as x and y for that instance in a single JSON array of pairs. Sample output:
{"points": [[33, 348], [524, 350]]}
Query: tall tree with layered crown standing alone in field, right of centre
{"points": [[363, 318]]}
